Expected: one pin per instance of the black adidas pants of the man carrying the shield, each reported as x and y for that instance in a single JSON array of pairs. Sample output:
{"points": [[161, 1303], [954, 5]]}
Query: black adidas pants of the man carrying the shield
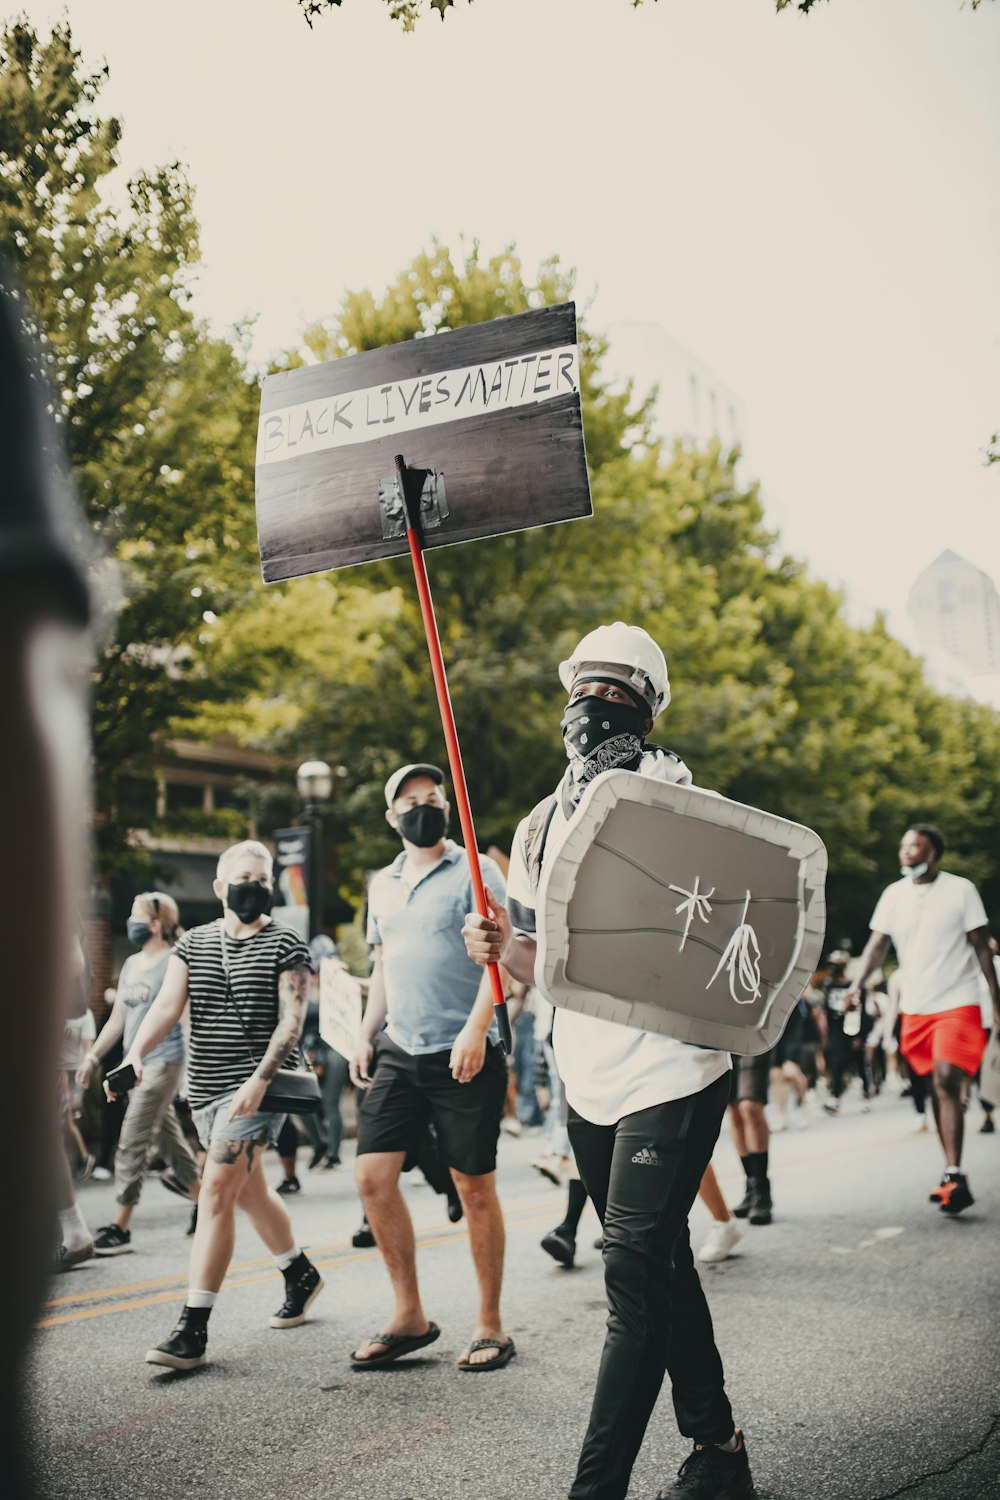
{"points": [[644, 1175]]}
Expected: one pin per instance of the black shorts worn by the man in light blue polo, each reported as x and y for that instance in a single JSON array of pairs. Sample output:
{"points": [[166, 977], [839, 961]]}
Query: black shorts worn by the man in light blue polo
{"points": [[410, 1091]]}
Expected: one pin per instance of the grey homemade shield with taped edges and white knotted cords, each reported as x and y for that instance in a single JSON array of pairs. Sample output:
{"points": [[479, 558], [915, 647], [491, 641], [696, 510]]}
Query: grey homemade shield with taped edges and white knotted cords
{"points": [[677, 911]]}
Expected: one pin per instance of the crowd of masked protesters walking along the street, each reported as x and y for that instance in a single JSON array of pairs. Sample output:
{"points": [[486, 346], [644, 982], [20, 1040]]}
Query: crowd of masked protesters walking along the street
{"points": [[227, 1016]]}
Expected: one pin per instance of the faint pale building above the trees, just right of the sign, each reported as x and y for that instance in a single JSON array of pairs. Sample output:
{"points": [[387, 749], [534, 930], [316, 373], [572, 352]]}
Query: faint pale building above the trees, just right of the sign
{"points": [[692, 401]]}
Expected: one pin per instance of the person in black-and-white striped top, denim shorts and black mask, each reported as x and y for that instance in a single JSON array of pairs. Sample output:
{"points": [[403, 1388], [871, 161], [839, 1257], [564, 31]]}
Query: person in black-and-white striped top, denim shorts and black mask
{"points": [[247, 979]]}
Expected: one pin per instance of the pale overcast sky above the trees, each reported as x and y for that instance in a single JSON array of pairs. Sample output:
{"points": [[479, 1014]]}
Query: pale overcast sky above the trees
{"points": [[807, 203]]}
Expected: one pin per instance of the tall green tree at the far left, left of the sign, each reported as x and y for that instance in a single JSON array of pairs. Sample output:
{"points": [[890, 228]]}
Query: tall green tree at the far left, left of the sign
{"points": [[158, 416]]}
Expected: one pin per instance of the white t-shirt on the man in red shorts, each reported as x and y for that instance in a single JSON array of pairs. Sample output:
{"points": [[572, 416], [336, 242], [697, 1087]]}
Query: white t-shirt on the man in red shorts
{"points": [[929, 926]]}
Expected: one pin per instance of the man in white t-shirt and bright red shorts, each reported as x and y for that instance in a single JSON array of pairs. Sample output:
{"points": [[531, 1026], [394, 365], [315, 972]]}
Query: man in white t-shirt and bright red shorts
{"points": [[938, 925]]}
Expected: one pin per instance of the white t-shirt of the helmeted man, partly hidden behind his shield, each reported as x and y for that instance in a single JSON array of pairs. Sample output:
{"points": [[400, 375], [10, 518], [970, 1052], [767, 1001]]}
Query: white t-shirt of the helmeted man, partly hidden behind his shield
{"points": [[612, 1070]]}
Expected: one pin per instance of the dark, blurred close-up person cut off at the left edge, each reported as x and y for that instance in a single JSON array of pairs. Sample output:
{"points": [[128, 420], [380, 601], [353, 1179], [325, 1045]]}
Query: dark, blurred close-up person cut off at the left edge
{"points": [[44, 754]]}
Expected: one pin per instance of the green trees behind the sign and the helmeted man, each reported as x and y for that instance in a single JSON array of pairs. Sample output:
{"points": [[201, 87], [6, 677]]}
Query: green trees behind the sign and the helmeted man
{"points": [[779, 701]]}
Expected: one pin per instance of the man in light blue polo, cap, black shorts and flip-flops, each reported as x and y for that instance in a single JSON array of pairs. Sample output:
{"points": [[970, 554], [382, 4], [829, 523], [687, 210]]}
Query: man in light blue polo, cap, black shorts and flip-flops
{"points": [[428, 1052]]}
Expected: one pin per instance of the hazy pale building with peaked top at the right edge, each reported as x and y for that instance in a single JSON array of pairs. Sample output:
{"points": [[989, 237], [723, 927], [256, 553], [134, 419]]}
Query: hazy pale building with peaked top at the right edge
{"points": [[956, 614]]}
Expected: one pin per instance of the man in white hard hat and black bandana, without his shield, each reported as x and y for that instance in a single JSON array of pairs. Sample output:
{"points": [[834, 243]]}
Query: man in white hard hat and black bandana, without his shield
{"points": [[645, 1114]]}
